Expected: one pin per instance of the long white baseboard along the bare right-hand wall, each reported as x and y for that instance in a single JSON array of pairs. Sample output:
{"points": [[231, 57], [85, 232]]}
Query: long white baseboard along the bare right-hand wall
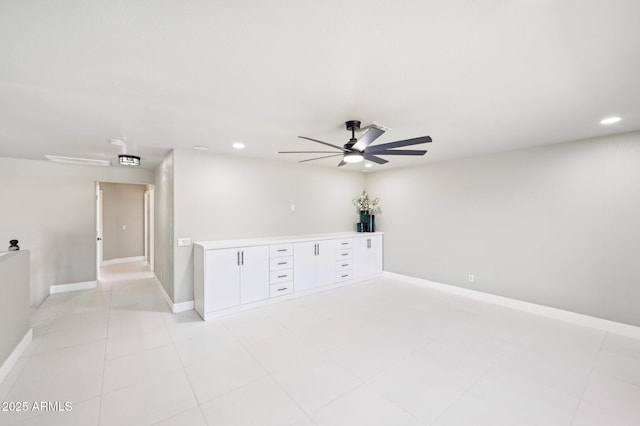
{"points": [[546, 311]]}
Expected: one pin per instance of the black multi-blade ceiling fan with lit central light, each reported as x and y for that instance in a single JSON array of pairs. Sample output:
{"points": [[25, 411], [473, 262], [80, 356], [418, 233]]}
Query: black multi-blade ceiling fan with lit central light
{"points": [[357, 150]]}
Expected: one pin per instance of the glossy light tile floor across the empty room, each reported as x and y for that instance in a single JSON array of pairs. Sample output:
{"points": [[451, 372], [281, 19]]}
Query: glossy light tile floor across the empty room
{"points": [[381, 352]]}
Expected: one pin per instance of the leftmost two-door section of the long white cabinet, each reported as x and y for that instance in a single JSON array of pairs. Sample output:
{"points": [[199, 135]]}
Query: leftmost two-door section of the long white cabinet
{"points": [[235, 276]]}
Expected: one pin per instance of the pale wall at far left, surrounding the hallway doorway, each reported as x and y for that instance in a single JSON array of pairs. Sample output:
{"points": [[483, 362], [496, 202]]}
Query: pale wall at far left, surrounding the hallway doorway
{"points": [[50, 208]]}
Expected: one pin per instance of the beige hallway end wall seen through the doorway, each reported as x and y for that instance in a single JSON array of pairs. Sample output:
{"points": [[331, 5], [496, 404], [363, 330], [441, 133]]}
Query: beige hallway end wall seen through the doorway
{"points": [[123, 206]]}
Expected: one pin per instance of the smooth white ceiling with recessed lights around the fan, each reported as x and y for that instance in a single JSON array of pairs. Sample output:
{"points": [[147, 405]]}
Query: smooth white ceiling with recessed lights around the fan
{"points": [[477, 76]]}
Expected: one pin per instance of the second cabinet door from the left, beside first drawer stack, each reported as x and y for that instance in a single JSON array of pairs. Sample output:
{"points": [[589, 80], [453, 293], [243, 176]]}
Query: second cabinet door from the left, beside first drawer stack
{"points": [[254, 273]]}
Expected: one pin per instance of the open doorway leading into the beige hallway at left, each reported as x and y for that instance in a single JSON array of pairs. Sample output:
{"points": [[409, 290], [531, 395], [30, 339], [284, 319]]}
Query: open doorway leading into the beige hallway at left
{"points": [[124, 231]]}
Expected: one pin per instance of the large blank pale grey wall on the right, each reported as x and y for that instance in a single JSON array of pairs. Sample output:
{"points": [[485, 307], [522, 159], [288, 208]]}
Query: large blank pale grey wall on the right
{"points": [[556, 225]]}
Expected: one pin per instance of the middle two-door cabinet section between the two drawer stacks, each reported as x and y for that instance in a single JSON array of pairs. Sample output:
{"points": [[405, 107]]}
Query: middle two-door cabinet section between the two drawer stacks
{"points": [[314, 264]]}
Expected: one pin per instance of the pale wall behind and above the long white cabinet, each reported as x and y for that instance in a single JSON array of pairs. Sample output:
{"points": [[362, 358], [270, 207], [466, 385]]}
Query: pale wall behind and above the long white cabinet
{"points": [[227, 197]]}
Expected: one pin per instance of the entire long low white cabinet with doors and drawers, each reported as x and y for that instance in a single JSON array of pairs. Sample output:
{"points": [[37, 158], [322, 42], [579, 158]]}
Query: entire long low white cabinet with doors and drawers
{"points": [[240, 274]]}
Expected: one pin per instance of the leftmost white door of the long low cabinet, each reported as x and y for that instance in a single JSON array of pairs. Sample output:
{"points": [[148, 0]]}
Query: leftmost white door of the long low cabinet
{"points": [[222, 279]]}
